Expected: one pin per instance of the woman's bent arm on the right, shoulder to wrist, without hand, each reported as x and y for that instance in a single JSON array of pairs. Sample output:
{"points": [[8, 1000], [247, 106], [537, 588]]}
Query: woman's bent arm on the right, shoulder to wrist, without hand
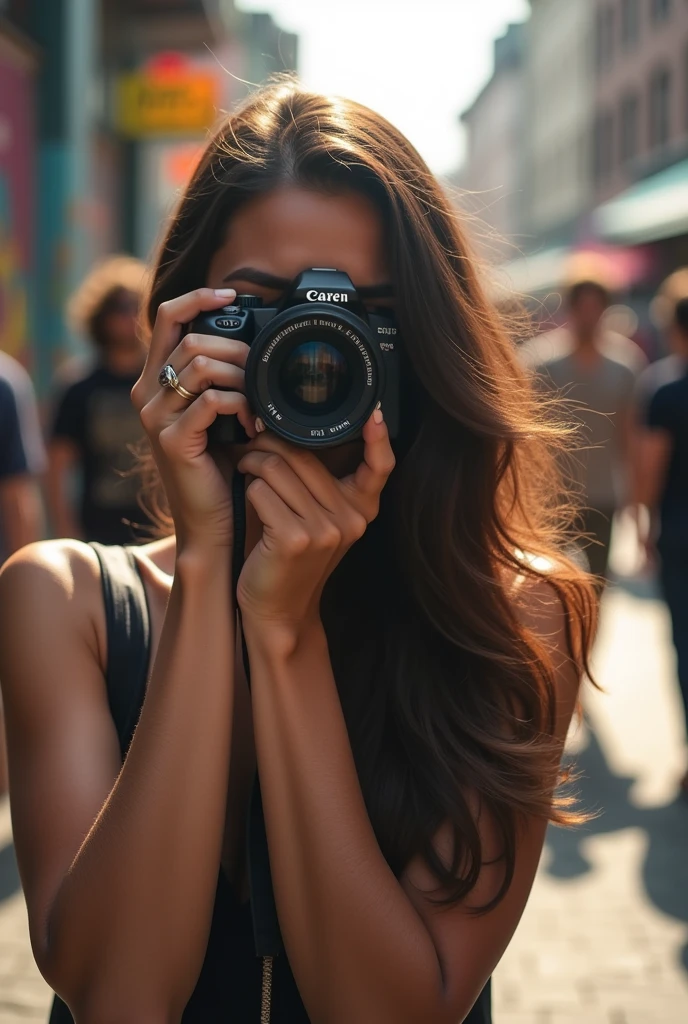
{"points": [[365, 947]]}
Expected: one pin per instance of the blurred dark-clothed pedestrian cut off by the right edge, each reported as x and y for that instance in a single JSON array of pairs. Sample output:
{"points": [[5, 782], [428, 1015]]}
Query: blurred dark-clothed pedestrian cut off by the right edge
{"points": [[663, 484]]}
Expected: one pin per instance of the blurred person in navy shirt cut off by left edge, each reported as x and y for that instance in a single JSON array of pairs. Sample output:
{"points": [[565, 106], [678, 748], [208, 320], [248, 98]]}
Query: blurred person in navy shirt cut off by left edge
{"points": [[22, 459]]}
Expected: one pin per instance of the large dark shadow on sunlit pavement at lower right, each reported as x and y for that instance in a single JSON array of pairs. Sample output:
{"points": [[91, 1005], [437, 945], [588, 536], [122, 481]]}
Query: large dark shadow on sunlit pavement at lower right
{"points": [[666, 868]]}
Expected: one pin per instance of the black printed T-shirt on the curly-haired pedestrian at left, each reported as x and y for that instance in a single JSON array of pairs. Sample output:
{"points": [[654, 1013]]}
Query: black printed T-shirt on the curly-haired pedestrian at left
{"points": [[97, 415]]}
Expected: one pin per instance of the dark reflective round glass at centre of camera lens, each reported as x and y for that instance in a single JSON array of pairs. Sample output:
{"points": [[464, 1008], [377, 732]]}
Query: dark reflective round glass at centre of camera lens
{"points": [[317, 377]]}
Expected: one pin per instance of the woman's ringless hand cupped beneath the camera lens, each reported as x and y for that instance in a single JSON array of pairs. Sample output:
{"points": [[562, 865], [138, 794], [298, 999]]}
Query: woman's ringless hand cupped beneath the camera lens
{"points": [[310, 520]]}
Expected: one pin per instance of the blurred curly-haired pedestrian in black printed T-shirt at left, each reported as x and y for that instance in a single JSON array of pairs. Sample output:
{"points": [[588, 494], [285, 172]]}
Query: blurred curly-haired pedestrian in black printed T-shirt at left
{"points": [[96, 425]]}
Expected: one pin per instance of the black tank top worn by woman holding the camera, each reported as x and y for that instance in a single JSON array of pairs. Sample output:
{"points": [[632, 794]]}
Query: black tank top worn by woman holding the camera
{"points": [[230, 985]]}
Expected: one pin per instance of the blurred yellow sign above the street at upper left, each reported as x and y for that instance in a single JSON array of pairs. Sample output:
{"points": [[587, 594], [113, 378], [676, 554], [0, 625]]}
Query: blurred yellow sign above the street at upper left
{"points": [[166, 105]]}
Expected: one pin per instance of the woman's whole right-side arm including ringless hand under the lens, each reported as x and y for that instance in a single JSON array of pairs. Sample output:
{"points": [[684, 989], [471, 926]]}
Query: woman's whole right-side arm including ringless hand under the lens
{"points": [[364, 947]]}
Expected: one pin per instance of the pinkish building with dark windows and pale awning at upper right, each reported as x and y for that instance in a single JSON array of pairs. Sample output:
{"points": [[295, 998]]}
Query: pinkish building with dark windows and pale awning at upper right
{"points": [[640, 133]]}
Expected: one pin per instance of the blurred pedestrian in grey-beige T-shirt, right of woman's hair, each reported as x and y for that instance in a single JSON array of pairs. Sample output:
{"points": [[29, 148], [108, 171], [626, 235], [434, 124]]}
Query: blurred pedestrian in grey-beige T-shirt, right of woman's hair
{"points": [[595, 371]]}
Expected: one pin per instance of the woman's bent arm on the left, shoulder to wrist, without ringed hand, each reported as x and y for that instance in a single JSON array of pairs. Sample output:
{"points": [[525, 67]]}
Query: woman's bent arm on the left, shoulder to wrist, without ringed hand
{"points": [[120, 868]]}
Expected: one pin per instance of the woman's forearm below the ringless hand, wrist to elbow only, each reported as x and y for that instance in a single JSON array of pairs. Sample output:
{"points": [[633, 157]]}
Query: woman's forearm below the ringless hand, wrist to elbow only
{"points": [[358, 948]]}
